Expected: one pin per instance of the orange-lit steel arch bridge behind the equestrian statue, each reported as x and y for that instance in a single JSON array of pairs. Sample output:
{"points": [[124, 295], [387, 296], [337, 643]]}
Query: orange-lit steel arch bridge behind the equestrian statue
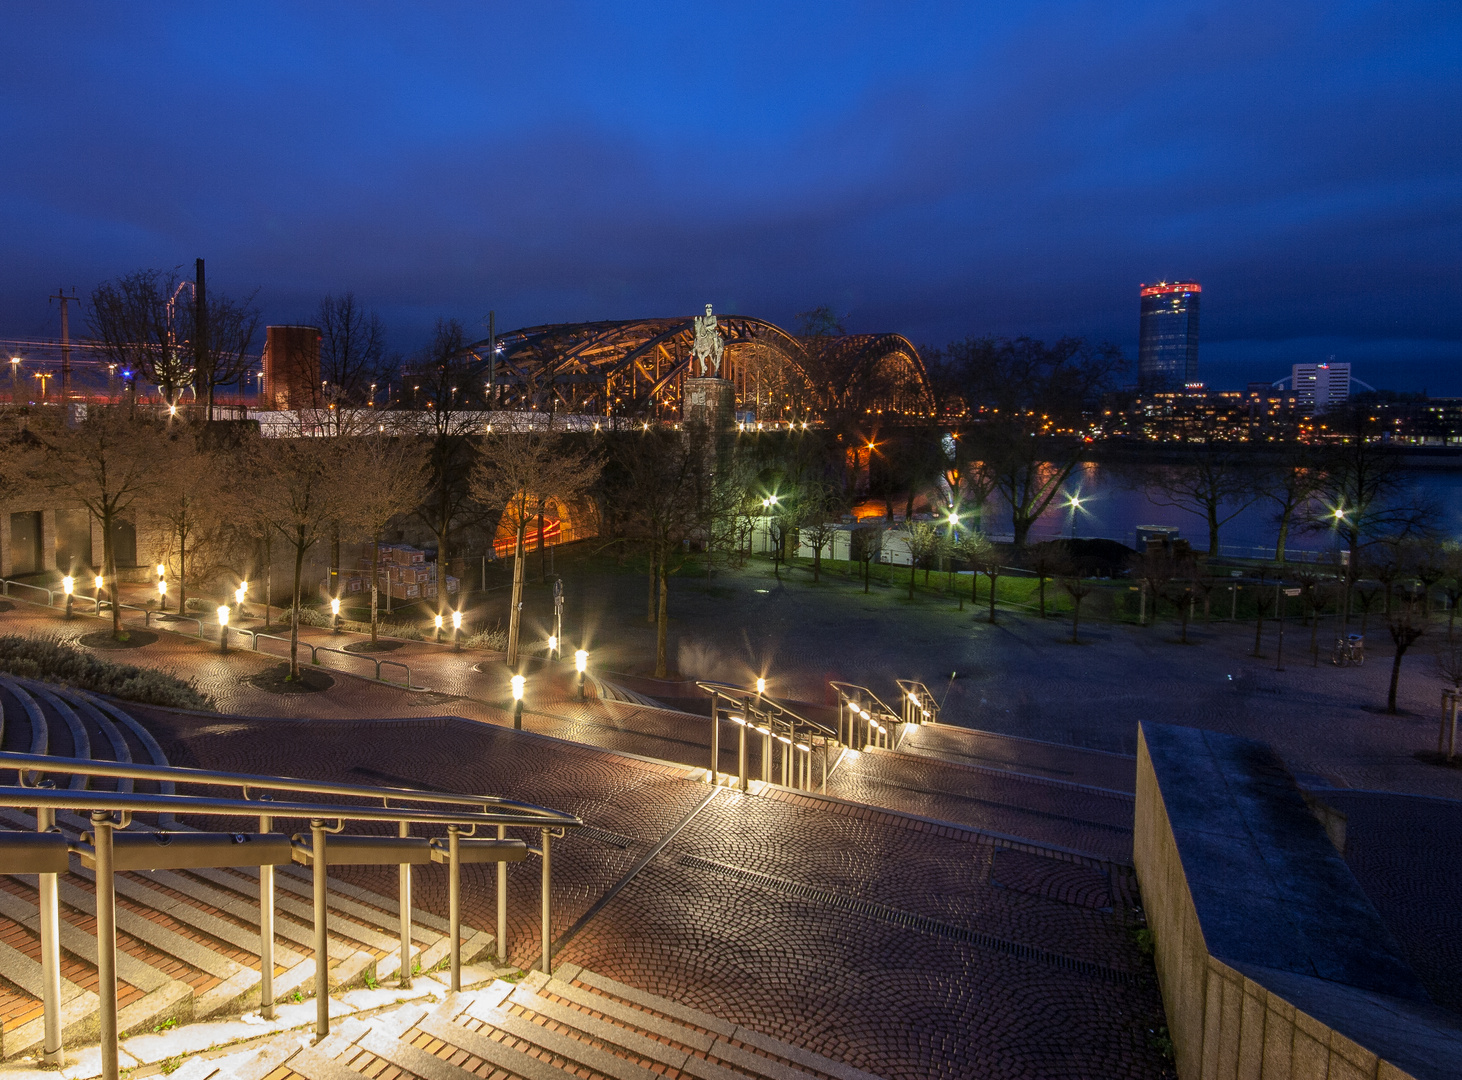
{"points": [[637, 369]]}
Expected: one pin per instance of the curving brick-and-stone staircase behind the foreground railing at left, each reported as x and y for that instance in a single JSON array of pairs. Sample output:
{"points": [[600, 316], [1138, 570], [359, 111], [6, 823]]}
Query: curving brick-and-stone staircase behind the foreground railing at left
{"points": [[188, 940]]}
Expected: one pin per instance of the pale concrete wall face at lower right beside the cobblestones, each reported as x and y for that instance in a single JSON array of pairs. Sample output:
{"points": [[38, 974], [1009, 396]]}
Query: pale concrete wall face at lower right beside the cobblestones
{"points": [[1226, 1024]]}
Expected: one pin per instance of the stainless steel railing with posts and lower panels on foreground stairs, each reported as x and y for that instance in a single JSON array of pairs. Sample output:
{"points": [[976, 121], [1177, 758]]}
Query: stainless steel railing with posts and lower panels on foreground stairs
{"points": [[112, 812]]}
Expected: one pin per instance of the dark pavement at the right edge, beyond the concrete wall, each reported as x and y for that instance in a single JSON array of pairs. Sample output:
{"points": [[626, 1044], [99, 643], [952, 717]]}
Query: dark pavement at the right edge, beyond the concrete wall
{"points": [[1404, 853]]}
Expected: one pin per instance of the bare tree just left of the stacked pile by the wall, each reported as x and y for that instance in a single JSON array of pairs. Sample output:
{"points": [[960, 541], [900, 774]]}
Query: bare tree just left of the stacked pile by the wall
{"points": [[385, 480]]}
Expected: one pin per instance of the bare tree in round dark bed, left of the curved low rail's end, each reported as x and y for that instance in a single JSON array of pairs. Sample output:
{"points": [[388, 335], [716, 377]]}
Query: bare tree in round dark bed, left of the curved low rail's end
{"points": [[298, 487]]}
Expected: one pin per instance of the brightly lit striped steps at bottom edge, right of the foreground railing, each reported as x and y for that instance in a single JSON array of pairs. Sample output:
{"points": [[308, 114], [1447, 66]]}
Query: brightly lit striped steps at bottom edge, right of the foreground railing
{"points": [[572, 1025]]}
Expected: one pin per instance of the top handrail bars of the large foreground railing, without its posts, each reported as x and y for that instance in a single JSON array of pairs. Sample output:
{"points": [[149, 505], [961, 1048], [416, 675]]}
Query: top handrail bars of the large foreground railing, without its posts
{"points": [[71, 767]]}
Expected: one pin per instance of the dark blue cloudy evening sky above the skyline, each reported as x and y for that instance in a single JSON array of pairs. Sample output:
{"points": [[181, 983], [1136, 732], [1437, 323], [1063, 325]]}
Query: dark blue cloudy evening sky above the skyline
{"points": [[938, 170]]}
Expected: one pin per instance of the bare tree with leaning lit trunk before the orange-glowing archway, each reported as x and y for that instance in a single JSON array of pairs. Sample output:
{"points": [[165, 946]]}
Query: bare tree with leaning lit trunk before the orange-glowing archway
{"points": [[523, 473]]}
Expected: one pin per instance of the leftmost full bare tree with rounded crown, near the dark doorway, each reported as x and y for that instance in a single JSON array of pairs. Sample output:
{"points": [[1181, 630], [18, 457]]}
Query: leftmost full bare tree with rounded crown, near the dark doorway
{"points": [[109, 464]]}
